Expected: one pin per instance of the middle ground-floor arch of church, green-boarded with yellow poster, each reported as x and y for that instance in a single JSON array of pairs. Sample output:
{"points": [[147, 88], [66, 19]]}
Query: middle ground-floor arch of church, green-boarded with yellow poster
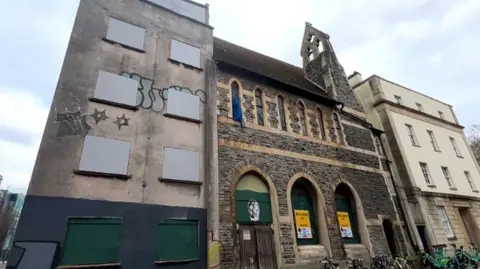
{"points": [[305, 213]]}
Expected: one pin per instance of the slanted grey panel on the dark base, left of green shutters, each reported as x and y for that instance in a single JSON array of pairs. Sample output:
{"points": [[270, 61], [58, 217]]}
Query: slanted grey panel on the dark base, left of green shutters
{"points": [[34, 254]]}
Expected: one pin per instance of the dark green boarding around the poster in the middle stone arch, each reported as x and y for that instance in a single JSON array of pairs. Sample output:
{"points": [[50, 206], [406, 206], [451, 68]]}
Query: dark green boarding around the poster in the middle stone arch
{"points": [[302, 200]]}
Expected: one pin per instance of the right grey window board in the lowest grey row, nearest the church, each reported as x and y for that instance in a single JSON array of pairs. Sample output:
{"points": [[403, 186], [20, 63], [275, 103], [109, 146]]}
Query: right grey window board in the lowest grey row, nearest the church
{"points": [[180, 164]]}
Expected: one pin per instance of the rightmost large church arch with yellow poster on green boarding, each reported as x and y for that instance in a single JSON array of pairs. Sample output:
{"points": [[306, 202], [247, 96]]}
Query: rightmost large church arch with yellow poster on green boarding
{"points": [[346, 214]]}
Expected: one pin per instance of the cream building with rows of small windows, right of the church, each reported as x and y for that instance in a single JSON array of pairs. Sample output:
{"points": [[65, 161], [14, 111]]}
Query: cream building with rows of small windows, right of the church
{"points": [[432, 162]]}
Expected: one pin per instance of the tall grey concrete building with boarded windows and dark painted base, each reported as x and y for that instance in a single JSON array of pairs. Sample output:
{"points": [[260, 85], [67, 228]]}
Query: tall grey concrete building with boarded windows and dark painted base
{"points": [[121, 177]]}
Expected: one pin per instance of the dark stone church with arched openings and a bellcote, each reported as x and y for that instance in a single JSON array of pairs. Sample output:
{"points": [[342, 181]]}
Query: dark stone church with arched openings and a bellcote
{"points": [[302, 176]]}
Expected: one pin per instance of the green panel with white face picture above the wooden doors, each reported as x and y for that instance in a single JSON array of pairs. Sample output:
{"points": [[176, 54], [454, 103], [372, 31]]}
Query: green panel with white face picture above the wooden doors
{"points": [[247, 204]]}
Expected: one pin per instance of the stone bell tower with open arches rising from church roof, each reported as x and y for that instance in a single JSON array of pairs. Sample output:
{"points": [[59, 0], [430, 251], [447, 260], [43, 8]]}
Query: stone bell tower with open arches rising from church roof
{"points": [[322, 67]]}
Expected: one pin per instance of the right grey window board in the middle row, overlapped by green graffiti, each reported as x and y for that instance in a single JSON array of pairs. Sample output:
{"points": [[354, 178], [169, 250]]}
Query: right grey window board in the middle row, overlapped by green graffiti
{"points": [[183, 104]]}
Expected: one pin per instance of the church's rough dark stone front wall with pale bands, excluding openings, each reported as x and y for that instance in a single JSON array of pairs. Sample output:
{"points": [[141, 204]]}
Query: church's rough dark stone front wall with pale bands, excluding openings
{"points": [[366, 180]]}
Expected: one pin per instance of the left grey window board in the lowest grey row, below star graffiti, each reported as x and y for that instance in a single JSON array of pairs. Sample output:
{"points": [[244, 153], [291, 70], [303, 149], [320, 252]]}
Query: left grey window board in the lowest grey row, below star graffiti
{"points": [[105, 155]]}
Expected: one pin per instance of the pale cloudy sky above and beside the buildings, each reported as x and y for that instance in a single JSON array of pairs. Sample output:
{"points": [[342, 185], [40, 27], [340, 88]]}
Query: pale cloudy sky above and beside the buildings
{"points": [[430, 46]]}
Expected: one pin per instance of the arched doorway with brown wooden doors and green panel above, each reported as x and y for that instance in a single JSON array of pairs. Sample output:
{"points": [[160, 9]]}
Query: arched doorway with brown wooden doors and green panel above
{"points": [[253, 212]]}
